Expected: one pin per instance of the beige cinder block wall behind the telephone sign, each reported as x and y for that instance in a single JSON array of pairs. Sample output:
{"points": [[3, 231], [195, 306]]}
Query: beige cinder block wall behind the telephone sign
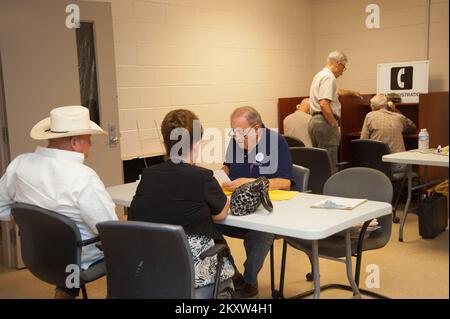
{"points": [[402, 37]]}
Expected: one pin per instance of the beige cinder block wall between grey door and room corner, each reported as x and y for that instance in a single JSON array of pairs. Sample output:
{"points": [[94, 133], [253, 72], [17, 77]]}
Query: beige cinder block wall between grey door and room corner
{"points": [[209, 56]]}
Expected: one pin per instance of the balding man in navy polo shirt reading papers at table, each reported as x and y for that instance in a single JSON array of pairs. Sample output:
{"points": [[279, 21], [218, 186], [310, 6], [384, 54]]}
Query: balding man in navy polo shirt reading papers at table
{"points": [[254, 151]]}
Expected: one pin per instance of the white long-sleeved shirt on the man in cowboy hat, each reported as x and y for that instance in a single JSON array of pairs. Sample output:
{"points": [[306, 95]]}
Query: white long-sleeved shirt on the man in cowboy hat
{"points": [[58, 180]]}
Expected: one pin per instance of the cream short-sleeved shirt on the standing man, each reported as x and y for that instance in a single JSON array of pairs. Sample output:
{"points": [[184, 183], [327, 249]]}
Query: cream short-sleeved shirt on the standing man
{"points": [[323, 87]]}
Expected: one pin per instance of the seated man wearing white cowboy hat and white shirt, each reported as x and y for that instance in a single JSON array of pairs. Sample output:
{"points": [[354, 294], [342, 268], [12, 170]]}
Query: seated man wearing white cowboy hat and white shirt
{"points": [[55, 178]]}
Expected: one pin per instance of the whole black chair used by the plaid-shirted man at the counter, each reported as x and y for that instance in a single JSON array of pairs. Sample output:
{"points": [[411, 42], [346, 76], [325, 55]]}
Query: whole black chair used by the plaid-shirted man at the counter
{"points": [[369, 153]]}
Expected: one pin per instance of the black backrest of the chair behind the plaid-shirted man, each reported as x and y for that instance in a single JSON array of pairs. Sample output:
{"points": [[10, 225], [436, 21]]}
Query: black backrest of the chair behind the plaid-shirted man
{"points": [[368, 153]]}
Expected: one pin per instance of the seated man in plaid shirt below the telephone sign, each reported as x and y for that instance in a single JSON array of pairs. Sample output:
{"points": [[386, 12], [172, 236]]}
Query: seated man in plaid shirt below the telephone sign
{"points": [[386, 124]]}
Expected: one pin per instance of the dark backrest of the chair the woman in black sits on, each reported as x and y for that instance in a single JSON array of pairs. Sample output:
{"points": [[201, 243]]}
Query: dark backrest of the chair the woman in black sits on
{"points": [[146, 260]]}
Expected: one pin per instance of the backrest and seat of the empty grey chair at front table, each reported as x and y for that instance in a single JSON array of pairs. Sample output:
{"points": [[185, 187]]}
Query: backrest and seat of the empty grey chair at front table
{"points": [[368, 183]]}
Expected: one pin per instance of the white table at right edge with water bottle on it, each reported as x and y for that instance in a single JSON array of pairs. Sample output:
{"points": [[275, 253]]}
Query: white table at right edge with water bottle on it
{"points": [[415, 157]]}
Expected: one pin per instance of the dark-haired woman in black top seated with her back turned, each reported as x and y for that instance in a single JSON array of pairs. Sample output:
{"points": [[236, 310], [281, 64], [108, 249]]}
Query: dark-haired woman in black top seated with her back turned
{"points": [[179, 193]]}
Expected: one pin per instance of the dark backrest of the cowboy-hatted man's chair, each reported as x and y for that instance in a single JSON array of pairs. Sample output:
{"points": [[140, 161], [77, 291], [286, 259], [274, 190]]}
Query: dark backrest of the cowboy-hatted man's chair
{"points": [[49, 242]]}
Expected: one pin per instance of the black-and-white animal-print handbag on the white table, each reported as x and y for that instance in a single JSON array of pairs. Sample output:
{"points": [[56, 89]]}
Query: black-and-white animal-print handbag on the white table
{"points": [[247, 197]]}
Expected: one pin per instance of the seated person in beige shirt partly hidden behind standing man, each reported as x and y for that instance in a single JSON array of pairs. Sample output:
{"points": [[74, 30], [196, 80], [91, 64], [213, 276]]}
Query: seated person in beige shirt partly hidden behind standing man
{"points": [[296, 124]]}
